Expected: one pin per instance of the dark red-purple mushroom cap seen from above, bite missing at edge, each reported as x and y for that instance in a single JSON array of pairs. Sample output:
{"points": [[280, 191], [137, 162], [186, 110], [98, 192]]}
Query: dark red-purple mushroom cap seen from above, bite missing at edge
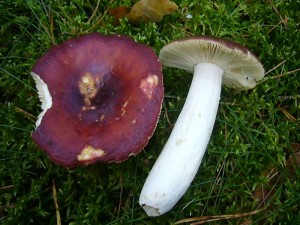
{"points": [[101, 99]]}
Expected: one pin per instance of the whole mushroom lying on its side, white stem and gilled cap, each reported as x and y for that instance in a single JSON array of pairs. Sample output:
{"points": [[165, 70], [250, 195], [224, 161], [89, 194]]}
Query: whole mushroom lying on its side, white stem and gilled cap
{"points": [[213, 61]]}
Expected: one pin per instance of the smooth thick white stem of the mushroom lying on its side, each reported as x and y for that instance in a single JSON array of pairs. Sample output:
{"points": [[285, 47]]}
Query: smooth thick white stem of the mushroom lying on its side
{"points": [[181, 157]]}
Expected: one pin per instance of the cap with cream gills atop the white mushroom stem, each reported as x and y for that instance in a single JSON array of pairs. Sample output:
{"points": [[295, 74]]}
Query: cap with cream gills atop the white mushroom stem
{"points": [[241, 67]]}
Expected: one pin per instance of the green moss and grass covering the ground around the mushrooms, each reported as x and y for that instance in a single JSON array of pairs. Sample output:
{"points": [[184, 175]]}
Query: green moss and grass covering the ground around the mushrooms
{"points": [[251, 152]]}
